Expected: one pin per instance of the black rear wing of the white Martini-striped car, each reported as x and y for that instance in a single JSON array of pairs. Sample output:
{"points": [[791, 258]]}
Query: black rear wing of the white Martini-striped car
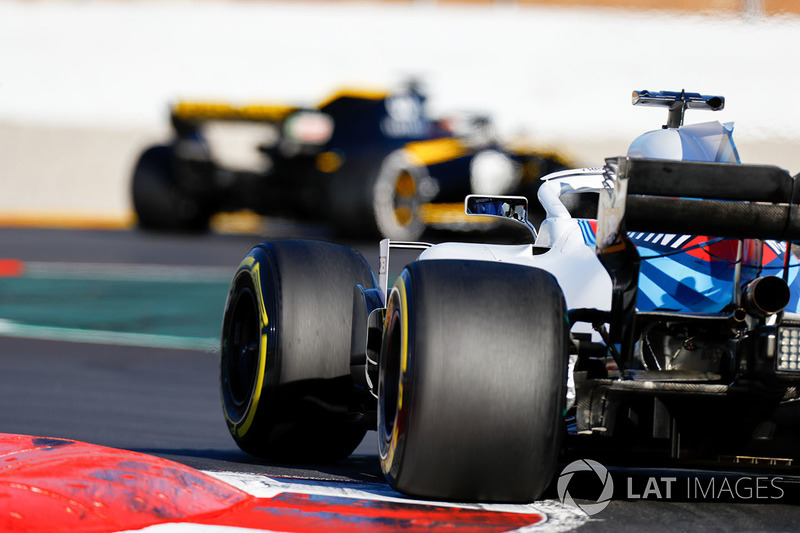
{"points": [[715, 199]]}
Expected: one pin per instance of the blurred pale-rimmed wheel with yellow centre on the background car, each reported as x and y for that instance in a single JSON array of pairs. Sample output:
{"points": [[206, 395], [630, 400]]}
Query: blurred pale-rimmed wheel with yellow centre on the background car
{"points": [[397, 196]]}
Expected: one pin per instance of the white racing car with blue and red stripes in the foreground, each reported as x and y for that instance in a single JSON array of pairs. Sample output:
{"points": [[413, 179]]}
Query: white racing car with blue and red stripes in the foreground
{"points": [[655, 309]]}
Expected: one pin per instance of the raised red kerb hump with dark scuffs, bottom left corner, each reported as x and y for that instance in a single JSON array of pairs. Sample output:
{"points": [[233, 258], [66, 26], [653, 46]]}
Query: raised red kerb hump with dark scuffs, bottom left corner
{"points": [[82, 487]]}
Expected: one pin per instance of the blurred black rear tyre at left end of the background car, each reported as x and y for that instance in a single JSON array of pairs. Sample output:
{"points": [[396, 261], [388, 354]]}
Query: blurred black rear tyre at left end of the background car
{"points": [[160, 203]]}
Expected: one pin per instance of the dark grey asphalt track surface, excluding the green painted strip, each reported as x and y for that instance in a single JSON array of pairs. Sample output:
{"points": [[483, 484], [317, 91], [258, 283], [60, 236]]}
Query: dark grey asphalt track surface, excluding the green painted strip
{"points": [[165, 402]]}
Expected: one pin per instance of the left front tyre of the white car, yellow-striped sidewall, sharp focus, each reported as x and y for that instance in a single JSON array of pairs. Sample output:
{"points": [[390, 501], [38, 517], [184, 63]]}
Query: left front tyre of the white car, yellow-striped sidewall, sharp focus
{"points": [[285, 355]]}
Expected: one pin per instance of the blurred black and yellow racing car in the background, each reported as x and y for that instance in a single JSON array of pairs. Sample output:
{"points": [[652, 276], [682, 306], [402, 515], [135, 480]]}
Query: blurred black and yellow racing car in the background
{"points": [[368, 162]]}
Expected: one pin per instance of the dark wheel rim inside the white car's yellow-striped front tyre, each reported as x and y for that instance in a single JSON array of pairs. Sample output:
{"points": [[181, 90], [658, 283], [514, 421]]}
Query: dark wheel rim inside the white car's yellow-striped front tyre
{"points": [[242, 348]]}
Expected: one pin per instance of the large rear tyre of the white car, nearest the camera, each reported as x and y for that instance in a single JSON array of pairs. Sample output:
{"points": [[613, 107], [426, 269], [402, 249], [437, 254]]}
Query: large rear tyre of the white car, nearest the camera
{"points": [[472, 381]]}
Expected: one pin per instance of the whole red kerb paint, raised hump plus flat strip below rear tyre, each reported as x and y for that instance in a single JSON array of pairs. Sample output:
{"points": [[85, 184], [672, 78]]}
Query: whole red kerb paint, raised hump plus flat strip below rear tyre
{"points": [[74, 486]]}
